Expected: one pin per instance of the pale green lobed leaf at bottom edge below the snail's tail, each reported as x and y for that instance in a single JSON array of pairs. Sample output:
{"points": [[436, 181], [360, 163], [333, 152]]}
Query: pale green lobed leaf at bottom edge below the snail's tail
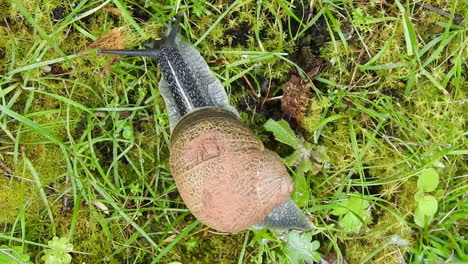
{"points": [[300, 248]]}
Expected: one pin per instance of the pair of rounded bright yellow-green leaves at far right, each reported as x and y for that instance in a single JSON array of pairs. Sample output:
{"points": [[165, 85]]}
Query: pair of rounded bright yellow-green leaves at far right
{"points": [[427, 204]]}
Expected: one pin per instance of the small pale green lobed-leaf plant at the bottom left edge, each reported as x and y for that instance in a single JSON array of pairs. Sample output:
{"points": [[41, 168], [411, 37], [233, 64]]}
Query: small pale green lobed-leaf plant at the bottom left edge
{"points": [[58, 253]]}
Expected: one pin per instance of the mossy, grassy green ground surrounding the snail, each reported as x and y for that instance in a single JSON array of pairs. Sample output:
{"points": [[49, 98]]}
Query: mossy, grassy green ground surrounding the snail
{"points": [[84, 141]]}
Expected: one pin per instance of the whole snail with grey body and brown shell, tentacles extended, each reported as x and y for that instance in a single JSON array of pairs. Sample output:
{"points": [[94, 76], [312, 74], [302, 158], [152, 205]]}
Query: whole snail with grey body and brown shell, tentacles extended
{"points": [[224, 174]]}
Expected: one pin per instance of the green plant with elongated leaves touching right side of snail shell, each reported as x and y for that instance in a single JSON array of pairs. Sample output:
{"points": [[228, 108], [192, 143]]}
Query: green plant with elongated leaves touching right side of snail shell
{"points": [[304, 153]]}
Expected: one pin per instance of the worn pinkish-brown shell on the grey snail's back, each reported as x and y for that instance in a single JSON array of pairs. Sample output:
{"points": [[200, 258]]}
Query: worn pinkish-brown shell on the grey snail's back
{"points": [[224, 173]]}
